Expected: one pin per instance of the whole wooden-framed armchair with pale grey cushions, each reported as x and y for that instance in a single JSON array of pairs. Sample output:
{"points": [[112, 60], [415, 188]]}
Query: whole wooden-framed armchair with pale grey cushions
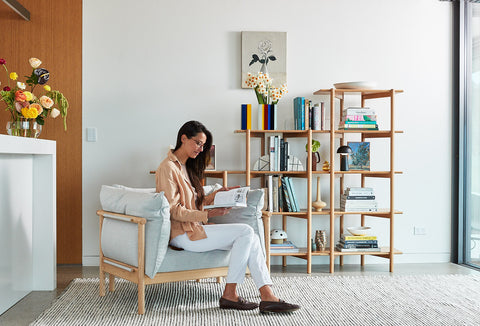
{"points": [[134, 237]]}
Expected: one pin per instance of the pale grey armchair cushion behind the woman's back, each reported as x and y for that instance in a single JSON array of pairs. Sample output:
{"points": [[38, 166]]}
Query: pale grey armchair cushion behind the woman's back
{"points": [[119, 239]]}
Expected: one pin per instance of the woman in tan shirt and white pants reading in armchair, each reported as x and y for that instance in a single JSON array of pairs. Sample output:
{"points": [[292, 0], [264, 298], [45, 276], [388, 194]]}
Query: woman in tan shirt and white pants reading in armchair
{"points": [[180, 177]]}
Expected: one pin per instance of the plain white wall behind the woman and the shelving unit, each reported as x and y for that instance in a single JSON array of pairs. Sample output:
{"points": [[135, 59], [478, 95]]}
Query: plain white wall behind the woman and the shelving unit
{"points": [[150, 65]]}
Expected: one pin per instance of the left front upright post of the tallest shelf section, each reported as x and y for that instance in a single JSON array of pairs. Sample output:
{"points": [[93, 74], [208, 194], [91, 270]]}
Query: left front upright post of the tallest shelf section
{"points": [[332, 180]]}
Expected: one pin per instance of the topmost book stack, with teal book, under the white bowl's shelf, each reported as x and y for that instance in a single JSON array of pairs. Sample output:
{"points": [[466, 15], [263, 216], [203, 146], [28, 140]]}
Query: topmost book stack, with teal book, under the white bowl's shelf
{"points": [[358, 118]]}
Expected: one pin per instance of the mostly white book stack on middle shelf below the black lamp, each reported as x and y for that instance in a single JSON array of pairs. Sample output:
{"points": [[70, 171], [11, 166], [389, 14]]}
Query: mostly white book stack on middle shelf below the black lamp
{"points": [[358, 199]]}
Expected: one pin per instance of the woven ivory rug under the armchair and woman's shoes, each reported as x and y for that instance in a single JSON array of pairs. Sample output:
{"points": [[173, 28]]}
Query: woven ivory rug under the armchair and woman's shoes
{"points": [[325, 300]]}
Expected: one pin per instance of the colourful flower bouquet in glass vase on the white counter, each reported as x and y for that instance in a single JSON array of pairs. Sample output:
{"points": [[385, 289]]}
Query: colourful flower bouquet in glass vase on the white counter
{"points": [[27, 110]]}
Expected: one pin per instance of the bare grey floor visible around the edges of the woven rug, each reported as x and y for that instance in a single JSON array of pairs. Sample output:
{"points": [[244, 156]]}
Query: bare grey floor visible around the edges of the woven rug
{"points": [[26, 310]]}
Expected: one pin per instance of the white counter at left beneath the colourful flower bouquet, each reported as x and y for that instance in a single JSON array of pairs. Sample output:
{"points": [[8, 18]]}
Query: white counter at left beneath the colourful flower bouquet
{"points": [[27, 217]]}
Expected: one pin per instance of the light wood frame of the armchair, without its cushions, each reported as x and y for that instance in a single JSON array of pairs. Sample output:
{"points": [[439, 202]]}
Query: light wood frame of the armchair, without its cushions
{"points": [[137, 274]]}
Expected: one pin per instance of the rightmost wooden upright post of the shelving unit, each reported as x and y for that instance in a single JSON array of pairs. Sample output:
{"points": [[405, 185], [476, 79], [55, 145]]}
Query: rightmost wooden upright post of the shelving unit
{"points": [[392, 174]]}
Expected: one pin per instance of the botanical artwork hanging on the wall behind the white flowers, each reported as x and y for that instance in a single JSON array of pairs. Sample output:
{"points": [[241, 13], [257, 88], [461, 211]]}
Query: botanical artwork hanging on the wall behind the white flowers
{"points": [[265, 52]]}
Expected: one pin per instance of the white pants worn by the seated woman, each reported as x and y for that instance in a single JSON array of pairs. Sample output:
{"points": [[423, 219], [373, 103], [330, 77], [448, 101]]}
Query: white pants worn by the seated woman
{"points": [[245, 249]]}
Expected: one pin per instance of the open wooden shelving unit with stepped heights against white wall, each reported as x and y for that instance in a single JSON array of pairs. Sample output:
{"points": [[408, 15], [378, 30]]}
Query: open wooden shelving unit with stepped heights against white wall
{"points": [[388, 213]]}
